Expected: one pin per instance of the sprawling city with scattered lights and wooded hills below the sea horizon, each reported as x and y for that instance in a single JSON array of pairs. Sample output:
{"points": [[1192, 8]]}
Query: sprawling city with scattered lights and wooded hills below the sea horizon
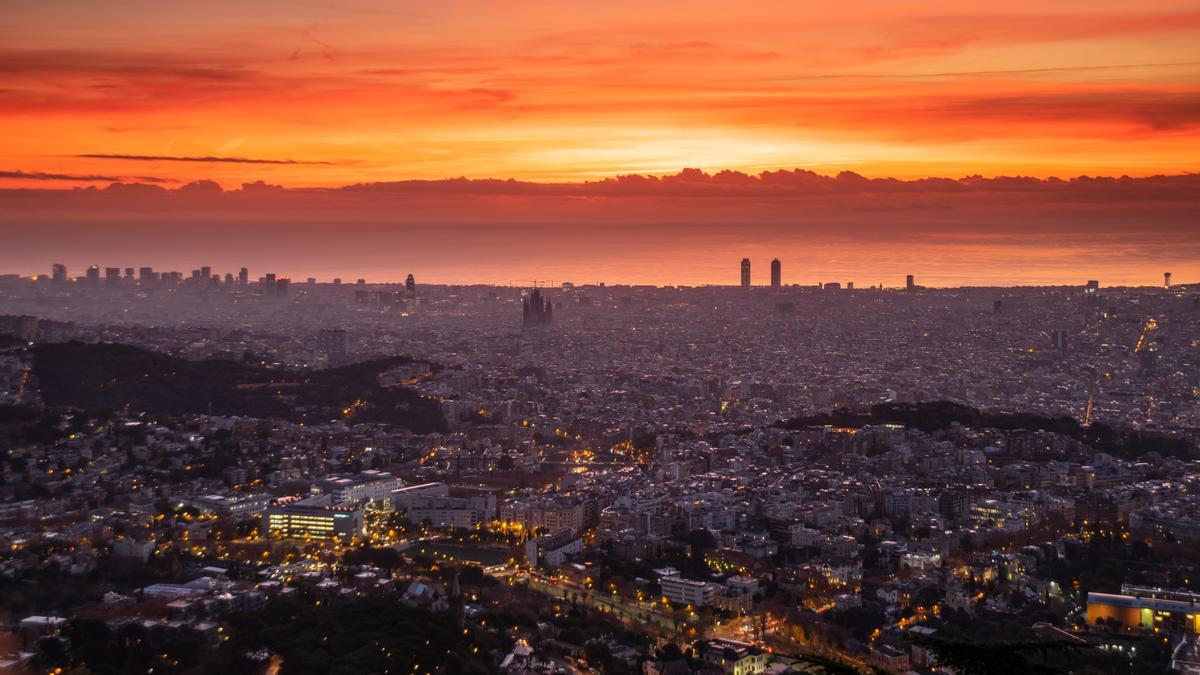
{"points": [[224, 471]]}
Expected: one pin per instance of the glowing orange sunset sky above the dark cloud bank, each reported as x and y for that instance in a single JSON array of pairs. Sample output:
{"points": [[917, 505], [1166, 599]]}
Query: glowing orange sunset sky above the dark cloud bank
{"points": [[326, 94]]}
